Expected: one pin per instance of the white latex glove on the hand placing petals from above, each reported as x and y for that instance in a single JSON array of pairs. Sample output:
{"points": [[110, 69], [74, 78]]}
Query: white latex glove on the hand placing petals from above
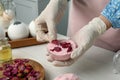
{"points": [[47, 20]]}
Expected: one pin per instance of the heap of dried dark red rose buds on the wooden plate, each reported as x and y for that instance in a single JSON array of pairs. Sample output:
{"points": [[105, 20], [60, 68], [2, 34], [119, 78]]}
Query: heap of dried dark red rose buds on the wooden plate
{"points": [[20, 69]]}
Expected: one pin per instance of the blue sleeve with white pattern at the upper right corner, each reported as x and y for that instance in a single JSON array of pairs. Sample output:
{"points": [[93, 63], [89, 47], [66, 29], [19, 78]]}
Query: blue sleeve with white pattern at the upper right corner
{"points": [[112, 13]]}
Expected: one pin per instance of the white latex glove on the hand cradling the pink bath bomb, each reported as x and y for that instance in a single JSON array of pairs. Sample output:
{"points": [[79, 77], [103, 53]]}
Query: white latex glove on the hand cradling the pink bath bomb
{"points": [[84, 39]]}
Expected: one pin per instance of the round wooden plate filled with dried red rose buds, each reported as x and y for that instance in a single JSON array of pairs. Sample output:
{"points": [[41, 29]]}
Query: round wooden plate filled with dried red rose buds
{"points": [[21, 69]]}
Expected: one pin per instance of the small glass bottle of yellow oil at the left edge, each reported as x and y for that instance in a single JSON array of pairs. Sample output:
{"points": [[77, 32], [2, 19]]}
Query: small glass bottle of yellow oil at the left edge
{"points": [[5, 51]]}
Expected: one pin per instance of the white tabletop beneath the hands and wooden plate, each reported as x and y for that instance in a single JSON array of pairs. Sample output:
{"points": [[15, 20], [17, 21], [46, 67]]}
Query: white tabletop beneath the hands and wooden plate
{"points": [[96, 64]]}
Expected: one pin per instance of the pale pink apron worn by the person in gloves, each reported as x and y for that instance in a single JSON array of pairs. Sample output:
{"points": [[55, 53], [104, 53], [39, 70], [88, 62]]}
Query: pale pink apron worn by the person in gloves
{"points": [[82, 11]]}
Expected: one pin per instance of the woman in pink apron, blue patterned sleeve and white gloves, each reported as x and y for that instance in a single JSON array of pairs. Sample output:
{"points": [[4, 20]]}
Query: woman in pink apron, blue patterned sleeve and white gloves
{"points": [[100, 20]]}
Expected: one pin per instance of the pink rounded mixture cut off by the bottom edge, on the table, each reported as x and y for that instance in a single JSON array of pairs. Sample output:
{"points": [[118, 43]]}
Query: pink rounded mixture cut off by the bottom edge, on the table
{"points": [[67, 76]]}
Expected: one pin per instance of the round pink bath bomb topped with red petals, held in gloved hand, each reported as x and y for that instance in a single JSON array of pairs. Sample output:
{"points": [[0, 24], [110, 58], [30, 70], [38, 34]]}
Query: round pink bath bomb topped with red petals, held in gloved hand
{"points": [[61, 49]]}
